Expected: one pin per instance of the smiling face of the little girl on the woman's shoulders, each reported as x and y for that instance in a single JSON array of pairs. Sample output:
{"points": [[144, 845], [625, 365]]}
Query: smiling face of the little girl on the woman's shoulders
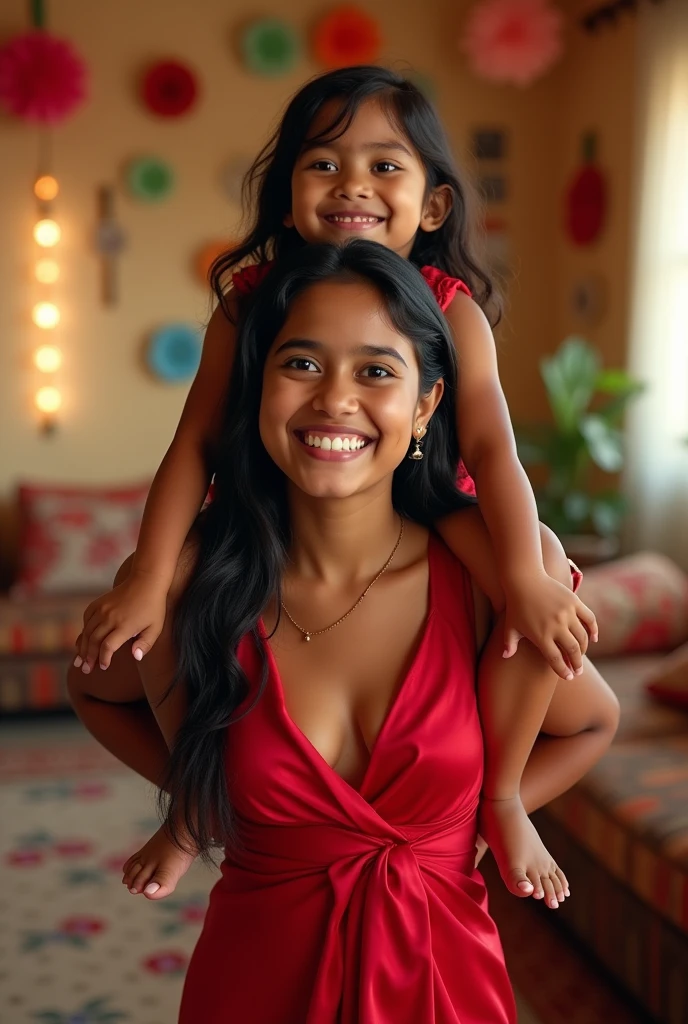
{"points": [[370, 183]]}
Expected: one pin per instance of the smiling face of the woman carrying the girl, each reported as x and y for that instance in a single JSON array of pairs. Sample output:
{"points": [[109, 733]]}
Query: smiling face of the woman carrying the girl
{"points": [[340, 400]]}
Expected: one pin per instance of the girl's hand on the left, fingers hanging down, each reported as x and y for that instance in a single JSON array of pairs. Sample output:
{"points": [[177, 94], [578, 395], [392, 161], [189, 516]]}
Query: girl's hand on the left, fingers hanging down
{"points": [[134, 610]]}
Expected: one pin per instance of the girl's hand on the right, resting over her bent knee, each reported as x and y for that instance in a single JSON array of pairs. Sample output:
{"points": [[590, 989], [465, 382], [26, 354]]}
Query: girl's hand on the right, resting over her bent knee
{"points": [[553, 619]]}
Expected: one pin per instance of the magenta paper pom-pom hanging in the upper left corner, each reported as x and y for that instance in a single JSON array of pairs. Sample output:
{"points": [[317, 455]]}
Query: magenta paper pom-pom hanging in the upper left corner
{"points": [[42, 78]]}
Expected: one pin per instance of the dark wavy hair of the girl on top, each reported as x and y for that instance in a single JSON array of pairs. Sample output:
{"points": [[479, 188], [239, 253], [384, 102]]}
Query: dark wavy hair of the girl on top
{"points": [[268, 188]]}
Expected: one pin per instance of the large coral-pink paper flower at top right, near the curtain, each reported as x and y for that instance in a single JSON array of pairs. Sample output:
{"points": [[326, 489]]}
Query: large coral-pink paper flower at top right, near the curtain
{"points": [[514, 41]]}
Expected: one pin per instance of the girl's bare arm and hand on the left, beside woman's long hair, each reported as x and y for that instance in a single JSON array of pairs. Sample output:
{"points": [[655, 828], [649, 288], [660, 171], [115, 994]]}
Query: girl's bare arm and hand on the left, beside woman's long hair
{"points": [[137, 608]]}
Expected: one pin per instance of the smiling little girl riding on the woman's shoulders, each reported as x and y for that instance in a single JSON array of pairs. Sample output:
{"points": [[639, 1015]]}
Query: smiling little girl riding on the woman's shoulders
{"points": [[362, 153]]}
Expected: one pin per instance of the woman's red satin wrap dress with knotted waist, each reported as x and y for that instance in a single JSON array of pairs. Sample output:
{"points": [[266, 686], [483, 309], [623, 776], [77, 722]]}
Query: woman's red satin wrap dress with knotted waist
{"points": [[359, 907]]}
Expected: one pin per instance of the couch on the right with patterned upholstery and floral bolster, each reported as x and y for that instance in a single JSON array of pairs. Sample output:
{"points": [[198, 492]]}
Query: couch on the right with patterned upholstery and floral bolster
{"points": [[622, 834]]}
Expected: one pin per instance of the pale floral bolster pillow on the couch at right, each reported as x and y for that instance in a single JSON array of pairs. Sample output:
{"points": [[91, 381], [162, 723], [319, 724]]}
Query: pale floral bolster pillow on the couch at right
{"points": [[641, 605]]}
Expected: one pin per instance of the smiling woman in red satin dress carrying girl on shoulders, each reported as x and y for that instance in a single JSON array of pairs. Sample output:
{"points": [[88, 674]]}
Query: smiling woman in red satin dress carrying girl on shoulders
{"points": [[319, 697]]}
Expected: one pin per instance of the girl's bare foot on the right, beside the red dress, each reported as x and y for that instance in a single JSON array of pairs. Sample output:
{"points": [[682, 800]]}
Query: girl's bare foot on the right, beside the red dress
{"points": [[526, 866]]}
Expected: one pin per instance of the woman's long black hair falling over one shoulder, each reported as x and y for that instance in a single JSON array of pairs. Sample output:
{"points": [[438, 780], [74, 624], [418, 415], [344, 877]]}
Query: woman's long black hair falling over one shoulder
{"points": [[245, 533]]}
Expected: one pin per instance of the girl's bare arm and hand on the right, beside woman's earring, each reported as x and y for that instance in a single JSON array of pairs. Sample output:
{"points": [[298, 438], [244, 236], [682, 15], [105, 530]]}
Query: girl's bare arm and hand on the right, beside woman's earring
{"points": [[537, 606]]}
